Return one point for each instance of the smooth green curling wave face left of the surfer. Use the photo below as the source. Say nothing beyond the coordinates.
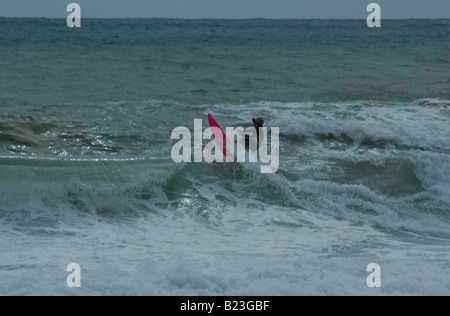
(53, 187)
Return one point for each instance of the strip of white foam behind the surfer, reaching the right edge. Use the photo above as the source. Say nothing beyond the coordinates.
(414, 124)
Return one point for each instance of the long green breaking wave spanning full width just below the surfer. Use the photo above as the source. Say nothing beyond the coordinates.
(401, 193)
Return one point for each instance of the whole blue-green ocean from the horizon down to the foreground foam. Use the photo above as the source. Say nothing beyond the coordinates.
(86, 174)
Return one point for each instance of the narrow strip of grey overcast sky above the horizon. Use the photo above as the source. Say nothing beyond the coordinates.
(337, 9)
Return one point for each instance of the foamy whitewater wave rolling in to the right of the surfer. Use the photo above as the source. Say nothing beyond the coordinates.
(408, 126)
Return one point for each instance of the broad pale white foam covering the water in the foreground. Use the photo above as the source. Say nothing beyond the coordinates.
(179, 256)
